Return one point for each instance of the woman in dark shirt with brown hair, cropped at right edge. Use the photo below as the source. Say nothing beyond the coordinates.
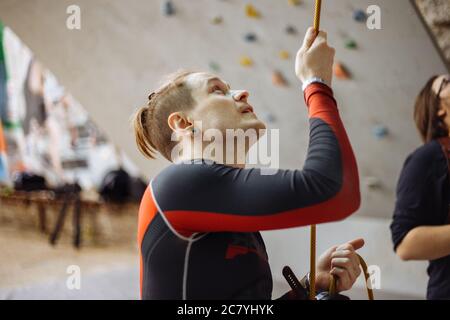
(420, 228)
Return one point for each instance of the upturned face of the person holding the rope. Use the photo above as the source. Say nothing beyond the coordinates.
(219, 107)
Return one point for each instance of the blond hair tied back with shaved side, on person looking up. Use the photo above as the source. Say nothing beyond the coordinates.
(151, 129)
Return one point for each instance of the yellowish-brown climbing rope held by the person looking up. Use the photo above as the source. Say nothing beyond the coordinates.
(312, 274)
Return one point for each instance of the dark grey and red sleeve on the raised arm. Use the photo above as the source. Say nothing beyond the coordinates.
(202, 198)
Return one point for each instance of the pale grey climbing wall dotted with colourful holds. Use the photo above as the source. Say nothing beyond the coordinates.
(124, 47)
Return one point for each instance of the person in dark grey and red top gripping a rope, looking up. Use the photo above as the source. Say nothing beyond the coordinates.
(200, 219)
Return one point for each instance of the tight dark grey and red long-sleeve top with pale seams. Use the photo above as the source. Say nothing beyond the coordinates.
(199, 222)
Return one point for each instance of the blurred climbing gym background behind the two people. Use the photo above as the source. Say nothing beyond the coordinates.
(73, 72)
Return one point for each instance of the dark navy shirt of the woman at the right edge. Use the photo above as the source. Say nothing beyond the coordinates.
(423, 200)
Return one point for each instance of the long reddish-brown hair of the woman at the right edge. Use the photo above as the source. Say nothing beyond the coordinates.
(429, 124)
